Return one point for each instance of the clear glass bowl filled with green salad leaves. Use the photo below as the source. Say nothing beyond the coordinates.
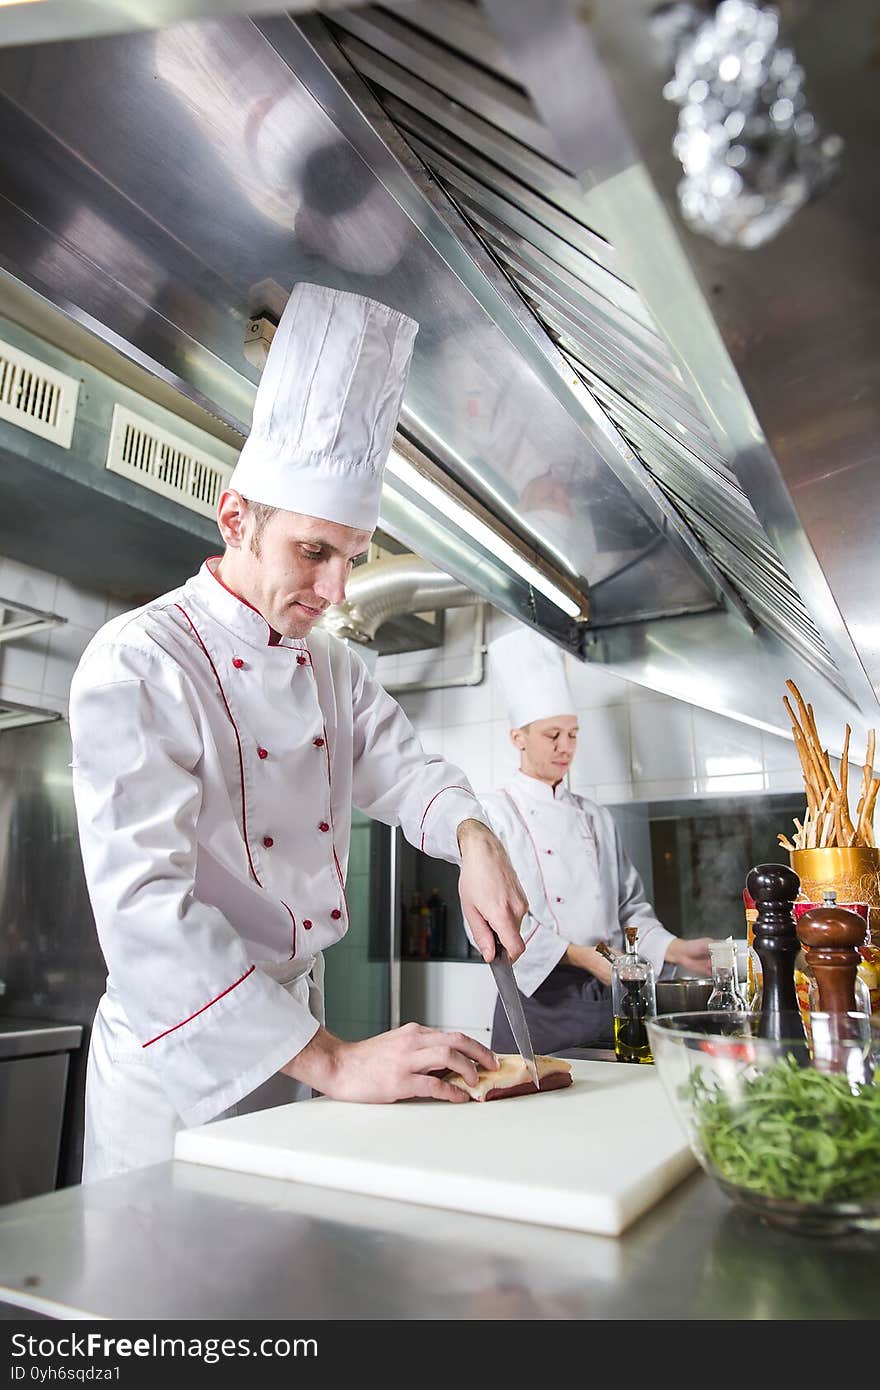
(788, 1128)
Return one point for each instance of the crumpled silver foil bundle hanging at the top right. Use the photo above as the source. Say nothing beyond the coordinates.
(751, 151)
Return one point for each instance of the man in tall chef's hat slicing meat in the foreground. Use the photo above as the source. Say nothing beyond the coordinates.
(219, 747)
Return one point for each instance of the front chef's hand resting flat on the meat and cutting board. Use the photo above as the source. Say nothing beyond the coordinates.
(391, 1067)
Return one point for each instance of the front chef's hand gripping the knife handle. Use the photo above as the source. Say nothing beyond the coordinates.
(491, 894)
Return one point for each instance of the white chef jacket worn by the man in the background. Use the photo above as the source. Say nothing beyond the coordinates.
(580, 883)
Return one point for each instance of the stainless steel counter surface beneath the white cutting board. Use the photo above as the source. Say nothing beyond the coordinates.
(183, 1242)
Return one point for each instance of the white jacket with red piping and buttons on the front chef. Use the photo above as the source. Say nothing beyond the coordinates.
(215, 771)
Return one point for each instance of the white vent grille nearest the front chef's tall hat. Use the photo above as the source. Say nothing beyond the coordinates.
(149, 455)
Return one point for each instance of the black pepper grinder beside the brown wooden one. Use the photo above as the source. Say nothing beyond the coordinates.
(775, 889)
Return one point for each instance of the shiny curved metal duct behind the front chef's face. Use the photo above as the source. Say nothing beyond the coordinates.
(389, 589)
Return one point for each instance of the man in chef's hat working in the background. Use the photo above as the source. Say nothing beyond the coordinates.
(567, 851)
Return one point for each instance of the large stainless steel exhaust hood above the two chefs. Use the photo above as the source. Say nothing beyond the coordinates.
(571, 379)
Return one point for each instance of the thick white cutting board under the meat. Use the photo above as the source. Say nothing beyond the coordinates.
(592, 1157)
